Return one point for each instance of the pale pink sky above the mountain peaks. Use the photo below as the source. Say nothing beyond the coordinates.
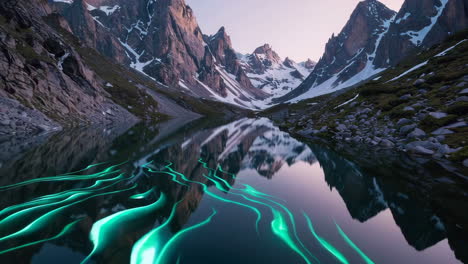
(295, 28)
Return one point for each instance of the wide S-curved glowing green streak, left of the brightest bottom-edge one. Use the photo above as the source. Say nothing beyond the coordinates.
(103, 230)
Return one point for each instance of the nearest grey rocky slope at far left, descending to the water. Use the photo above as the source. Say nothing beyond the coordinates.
(43, 78)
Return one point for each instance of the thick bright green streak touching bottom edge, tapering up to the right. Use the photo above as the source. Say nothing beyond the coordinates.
(145, 249)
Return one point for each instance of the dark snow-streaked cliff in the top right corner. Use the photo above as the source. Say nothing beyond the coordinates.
(421, 24)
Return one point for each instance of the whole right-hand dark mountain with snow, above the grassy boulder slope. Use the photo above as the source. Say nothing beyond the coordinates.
(376, 38)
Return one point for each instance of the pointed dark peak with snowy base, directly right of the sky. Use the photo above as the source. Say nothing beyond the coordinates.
(349, 56)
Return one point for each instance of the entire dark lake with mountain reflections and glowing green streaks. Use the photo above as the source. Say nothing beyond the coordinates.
(244, 192)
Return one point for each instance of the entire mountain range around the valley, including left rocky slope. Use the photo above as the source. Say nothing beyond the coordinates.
(101, 61)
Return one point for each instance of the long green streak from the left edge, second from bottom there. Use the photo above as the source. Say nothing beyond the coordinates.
(42, 221)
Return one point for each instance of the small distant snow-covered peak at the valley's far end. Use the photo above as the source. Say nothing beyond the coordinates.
(270, 73)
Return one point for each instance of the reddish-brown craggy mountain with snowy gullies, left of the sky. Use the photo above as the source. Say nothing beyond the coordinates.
(162, 40)
